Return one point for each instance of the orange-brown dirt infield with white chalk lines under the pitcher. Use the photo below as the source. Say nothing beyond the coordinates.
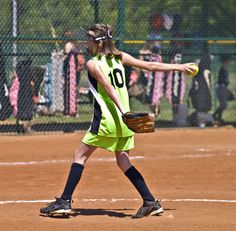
(191, 170)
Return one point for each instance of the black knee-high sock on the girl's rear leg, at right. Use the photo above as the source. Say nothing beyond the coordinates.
(137, 180)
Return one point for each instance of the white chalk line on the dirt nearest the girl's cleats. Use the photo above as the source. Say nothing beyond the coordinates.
(113, 200)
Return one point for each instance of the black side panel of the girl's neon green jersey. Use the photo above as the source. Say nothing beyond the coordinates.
(97, 115)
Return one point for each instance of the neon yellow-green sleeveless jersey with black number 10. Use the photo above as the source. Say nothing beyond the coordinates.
(107, 119)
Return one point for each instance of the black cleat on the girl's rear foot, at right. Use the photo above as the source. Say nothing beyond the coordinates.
(149, 208)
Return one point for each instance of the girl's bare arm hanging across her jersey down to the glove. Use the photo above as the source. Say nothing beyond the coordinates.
(95, 71)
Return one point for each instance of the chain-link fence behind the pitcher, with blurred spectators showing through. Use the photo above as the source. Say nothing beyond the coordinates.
(43, 82)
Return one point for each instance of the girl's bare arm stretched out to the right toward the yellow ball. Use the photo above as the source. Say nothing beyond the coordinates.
(155, 66)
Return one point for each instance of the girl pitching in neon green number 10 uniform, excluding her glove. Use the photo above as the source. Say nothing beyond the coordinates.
(107, 83)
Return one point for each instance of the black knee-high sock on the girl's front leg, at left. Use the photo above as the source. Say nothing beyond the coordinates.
(72, 181)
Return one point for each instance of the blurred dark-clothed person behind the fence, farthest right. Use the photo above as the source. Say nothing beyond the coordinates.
(224, 94)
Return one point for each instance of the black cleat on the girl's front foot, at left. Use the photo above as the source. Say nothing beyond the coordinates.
(59, 206)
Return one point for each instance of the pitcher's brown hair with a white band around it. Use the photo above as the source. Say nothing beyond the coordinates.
(103, 32)
